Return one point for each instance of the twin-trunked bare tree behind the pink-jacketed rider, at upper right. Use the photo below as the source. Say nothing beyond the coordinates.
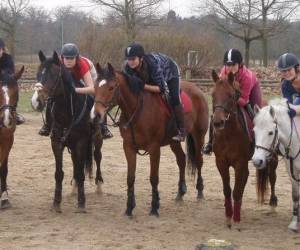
(251, 20)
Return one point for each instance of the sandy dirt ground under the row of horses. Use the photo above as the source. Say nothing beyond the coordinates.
(31, 224)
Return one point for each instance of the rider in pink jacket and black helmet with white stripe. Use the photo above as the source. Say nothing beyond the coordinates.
(249, 87)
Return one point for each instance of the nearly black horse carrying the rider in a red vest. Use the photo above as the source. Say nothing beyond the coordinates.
(71, 126)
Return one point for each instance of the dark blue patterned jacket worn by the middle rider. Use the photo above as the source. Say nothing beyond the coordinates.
(157, 69)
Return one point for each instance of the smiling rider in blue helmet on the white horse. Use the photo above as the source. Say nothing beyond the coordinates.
(288, 65)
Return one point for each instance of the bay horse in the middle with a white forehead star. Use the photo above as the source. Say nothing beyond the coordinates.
(144, 125)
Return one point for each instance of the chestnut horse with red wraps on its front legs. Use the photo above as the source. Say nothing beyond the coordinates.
(232, 147)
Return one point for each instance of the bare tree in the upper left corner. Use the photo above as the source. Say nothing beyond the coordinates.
(10, 12)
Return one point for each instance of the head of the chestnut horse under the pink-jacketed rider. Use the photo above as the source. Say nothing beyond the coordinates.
(224, 97)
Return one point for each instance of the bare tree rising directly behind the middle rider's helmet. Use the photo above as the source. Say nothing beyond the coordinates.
(131, 12)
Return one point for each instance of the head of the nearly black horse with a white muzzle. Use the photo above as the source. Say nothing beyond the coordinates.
(51, 78)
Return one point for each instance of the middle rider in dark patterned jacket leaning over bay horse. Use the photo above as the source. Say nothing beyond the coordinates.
(158, 72)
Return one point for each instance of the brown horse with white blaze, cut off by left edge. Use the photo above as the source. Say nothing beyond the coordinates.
(9, 93)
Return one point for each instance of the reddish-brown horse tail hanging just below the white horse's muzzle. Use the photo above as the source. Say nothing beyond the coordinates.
(262, 177)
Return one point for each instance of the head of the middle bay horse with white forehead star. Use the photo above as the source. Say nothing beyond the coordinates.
(106, 90)
